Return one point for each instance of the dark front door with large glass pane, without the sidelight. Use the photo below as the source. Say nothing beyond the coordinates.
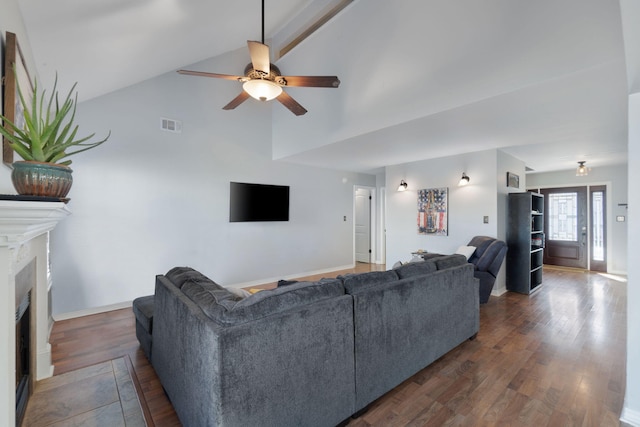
(565, 227)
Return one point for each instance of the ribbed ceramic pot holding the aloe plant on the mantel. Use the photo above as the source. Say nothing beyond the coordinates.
(41, 179)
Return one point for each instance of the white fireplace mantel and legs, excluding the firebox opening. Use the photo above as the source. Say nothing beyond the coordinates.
(24, 236)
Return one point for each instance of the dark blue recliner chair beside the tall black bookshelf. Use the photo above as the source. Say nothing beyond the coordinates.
(487, 258)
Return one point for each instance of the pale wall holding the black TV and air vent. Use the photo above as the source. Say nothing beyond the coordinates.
(149, 200)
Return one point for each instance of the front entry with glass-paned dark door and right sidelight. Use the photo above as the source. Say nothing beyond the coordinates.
(575, 227)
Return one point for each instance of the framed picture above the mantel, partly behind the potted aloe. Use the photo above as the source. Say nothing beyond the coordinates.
(15, 72)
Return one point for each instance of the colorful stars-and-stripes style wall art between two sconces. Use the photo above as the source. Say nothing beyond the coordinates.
(432, 211)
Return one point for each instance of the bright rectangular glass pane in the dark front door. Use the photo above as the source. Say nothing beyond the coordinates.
(563, 216)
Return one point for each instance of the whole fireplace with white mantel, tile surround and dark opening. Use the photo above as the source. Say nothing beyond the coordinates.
(25, 289)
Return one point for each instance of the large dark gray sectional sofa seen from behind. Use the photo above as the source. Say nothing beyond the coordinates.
(305, 354)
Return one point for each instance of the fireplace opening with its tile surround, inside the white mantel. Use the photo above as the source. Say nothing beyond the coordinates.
(25, 282)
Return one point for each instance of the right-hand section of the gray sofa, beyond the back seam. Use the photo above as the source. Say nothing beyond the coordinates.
(403, 325)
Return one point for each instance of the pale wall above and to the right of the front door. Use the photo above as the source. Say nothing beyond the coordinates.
(615, 178)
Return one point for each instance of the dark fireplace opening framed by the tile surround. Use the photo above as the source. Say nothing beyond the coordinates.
(23, 356)
